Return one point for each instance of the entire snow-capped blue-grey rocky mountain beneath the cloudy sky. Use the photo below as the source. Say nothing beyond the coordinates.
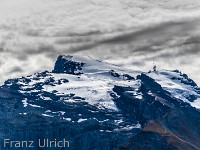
(95, 105)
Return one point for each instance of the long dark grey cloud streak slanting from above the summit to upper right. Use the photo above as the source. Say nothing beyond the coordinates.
(144, 39)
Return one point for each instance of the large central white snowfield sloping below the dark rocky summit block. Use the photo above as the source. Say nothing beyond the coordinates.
(94, 85)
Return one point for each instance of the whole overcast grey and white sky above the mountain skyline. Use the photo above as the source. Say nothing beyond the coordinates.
(131, 33)
